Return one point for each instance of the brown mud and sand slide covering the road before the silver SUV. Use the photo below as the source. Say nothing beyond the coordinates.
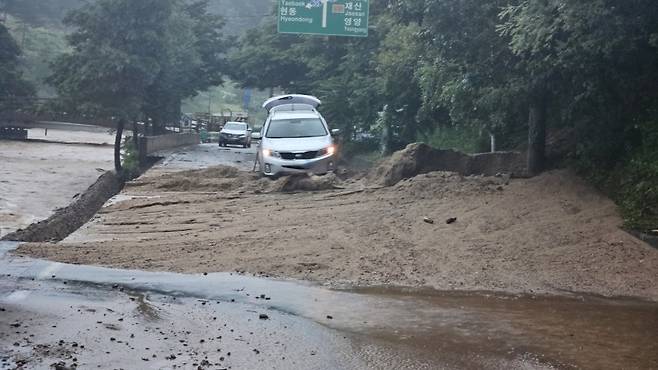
(550, 234)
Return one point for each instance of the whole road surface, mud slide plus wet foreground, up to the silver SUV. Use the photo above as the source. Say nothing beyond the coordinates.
(198, 261)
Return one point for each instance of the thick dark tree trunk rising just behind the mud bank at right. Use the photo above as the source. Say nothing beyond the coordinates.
(537, 133)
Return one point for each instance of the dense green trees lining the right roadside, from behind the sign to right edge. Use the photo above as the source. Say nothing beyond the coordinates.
(517, 69)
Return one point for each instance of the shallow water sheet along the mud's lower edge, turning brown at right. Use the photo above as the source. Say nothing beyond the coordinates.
(365, 328)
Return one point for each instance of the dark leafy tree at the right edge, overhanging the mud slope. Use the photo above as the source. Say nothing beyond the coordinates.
(602, 59)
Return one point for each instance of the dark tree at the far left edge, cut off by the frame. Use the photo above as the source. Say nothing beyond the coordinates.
(13, 88)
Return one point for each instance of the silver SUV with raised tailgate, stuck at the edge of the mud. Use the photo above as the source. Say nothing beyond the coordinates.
(295, 137)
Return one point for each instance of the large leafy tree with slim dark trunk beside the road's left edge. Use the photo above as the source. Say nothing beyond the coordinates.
(138, 59)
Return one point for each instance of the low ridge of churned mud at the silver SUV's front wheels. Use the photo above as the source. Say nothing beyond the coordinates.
(230, 179)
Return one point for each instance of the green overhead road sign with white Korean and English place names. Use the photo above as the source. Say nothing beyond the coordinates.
(324, 17)
